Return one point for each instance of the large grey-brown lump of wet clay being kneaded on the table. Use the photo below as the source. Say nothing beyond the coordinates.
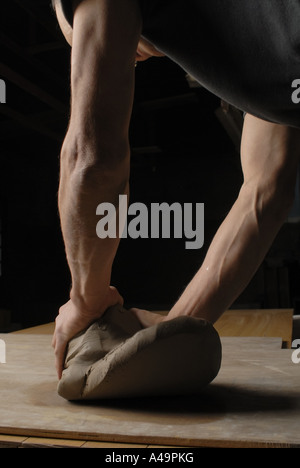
(116, 358)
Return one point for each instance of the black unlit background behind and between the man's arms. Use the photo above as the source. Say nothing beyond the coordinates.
(184, 149)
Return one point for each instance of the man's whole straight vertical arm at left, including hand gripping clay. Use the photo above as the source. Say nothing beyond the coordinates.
(95, 158)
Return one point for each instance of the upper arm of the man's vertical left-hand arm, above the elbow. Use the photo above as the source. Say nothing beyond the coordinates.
(104, 43)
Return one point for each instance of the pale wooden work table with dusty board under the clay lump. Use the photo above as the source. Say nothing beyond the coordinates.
(253, 402)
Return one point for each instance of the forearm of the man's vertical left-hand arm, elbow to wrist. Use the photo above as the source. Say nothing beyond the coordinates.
(90, 259)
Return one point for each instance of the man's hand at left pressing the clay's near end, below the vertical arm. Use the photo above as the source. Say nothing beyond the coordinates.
(71, 321)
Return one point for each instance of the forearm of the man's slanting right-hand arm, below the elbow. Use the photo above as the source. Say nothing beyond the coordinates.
(232, 259)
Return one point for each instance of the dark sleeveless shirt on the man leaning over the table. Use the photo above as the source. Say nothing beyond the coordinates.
(247, 52)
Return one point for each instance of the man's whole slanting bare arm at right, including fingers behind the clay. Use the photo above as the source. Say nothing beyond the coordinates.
(270, 156)
